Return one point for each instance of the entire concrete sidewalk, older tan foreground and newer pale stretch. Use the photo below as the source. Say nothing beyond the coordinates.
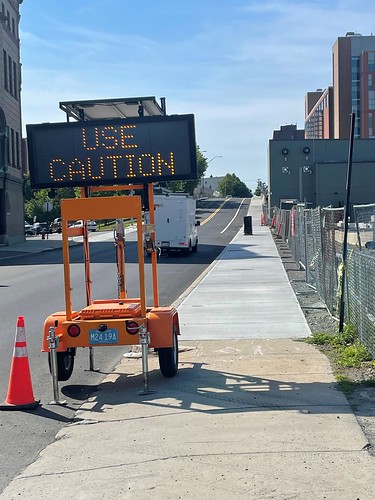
(253, 413)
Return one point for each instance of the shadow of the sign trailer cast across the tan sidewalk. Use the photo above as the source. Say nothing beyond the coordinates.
(199, 389)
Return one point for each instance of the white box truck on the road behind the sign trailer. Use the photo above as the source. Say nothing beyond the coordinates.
(175, 223)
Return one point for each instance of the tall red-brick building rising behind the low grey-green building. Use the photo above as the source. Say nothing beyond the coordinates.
(353, 90)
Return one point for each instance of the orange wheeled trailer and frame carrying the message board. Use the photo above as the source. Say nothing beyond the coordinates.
(121, 321)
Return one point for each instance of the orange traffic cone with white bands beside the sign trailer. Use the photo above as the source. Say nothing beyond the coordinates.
(20, 392)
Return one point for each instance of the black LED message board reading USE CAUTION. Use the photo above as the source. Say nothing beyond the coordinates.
(112, 152)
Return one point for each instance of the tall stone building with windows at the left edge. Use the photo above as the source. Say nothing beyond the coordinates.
(11, 180)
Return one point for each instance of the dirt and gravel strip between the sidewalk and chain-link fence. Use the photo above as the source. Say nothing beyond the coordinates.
(359, 383)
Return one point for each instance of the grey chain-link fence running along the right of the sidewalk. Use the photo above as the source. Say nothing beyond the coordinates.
(315, 238)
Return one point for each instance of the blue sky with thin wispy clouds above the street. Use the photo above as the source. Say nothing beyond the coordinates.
(242, 67)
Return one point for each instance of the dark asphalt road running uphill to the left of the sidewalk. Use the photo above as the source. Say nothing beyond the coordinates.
(32, 286)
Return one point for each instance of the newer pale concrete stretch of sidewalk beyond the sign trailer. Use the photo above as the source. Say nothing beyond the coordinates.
(247, 294)
